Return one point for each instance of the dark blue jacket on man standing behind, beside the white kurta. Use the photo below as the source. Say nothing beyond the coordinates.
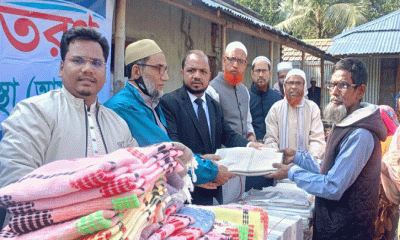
(260, 103)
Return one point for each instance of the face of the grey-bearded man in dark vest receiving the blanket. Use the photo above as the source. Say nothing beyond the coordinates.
(349, 97)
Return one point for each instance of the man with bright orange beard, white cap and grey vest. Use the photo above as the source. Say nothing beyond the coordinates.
(228, 90)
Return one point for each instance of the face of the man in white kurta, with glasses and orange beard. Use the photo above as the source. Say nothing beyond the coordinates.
(294, 89)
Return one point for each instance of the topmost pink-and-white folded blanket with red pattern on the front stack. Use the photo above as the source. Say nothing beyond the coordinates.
(67, 176)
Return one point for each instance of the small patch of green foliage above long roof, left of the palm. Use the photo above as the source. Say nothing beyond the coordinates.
(269, 9)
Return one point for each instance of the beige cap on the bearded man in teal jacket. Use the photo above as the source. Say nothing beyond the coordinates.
(140, 49)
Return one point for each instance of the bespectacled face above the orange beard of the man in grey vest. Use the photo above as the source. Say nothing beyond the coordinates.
(232, 59)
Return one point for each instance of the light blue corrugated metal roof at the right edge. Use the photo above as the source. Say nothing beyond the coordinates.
(380, 36)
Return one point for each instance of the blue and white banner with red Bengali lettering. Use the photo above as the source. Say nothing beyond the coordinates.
(30, 44)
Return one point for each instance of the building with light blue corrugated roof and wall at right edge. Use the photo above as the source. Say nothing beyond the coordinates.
(377, 44)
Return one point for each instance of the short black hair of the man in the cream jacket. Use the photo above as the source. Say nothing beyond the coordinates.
(83, 33)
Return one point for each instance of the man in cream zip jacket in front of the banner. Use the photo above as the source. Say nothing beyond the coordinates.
(68, 122)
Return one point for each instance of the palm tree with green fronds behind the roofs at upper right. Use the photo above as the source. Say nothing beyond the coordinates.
(321, 18)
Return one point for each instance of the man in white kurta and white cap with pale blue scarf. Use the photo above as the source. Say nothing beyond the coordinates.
(295, 122)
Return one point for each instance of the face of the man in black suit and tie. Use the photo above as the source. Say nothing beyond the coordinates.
(196, 74)
